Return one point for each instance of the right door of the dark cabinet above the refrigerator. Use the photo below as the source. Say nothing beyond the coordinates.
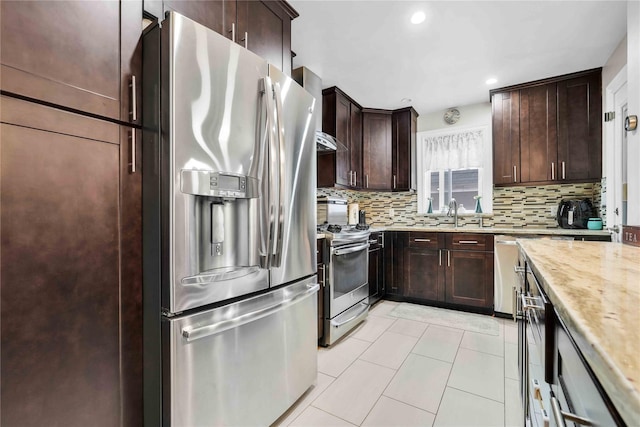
(265, 29)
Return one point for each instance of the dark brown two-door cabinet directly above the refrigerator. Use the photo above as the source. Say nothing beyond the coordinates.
(263, 27)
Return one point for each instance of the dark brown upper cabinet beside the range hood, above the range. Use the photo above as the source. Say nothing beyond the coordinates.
(342, 118)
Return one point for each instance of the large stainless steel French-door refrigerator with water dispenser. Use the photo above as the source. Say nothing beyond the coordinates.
(229, 178)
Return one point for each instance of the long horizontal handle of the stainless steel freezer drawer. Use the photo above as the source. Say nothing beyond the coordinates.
(192, 334)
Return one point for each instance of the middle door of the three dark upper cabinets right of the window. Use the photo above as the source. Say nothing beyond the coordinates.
(538, 134)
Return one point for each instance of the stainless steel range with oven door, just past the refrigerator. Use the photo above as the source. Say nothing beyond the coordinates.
(346, 292)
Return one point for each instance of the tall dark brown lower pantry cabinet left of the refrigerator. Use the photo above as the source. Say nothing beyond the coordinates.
(71, 333)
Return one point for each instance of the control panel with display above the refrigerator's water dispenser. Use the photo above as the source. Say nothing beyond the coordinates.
(218, 184)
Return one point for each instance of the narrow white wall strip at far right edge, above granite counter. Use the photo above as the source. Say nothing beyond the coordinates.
(633, 88)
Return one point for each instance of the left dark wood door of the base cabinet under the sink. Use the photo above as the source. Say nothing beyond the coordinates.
(423, 274)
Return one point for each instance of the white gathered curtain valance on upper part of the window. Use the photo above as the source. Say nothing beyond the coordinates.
(455, 150)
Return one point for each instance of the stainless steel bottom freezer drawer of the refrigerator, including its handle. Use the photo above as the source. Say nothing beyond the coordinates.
(244, 363)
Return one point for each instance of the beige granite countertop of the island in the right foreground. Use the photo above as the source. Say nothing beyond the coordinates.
(595, 288)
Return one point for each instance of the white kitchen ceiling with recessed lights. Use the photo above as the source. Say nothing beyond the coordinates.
(372, 52)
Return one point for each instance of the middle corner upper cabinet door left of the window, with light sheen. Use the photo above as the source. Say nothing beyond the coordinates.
(376, 151)
